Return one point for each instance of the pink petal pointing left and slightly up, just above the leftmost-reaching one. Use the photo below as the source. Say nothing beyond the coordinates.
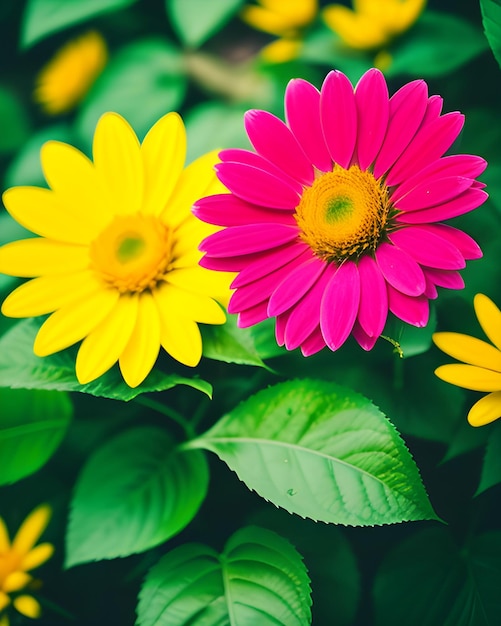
(257, 186)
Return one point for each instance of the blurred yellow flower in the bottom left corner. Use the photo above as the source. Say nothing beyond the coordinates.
(18, 558)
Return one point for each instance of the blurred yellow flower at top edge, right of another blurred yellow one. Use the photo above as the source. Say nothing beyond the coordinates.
(372, 23)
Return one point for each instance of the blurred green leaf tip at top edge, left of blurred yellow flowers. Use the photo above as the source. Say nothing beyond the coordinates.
(196, 21)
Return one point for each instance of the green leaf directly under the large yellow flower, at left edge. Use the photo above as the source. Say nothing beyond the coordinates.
(20, 368)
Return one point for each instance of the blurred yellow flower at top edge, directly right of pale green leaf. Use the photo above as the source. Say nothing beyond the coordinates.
(287, 20)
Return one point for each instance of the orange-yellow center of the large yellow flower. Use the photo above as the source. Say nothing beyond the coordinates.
(132, 253)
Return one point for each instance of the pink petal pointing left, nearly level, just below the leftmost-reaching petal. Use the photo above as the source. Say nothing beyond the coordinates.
(239, 240)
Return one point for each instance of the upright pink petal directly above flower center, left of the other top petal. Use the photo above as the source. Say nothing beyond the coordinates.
(338, 113)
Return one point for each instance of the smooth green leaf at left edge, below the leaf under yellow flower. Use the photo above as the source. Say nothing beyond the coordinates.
(32, 425)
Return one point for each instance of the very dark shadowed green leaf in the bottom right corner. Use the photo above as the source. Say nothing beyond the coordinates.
(428, 579)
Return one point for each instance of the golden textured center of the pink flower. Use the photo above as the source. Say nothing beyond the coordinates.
(343, 214)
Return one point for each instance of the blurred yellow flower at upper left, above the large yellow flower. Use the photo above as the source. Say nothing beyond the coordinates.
(67, 78)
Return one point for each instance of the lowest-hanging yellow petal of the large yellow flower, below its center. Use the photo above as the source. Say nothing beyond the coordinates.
(139, 356)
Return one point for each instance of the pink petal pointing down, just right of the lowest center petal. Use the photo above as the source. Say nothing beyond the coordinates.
(373, 309)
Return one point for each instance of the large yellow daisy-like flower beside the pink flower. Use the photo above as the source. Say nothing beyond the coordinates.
(117, 260)
